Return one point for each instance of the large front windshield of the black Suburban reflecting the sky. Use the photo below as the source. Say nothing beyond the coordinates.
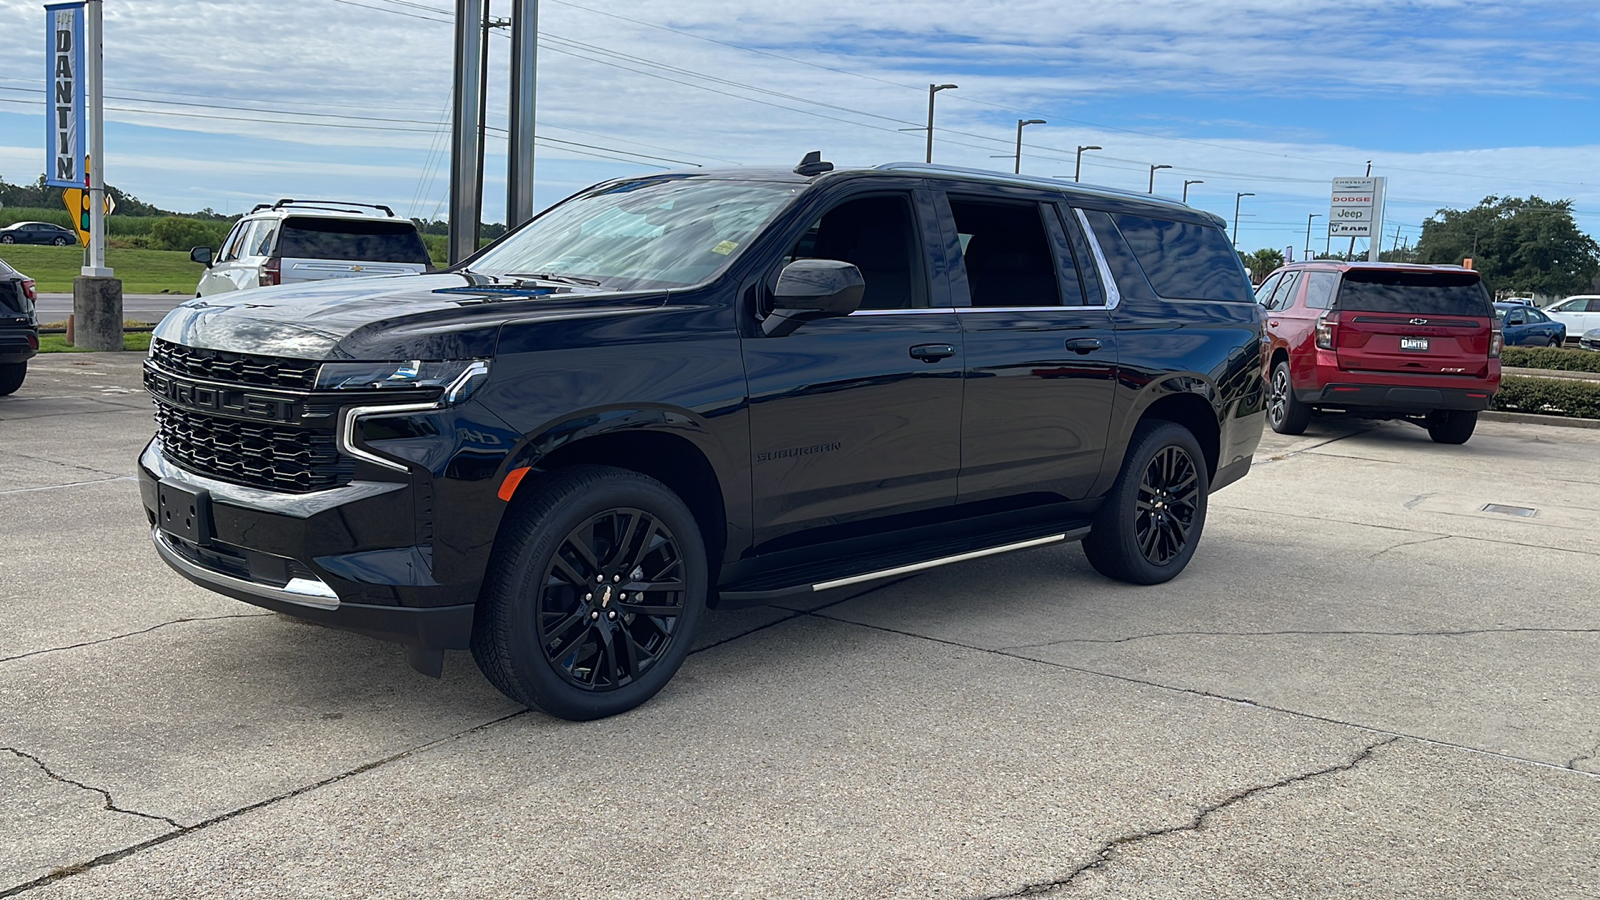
(642, 235)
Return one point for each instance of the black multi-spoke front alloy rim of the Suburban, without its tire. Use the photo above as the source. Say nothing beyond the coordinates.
(612, 600)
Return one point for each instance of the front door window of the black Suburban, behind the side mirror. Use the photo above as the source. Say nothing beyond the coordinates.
(874, 235)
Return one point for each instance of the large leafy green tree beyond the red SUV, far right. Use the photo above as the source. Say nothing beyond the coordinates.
(1524, 246)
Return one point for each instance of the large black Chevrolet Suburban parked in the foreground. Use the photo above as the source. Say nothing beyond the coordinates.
(700, 390)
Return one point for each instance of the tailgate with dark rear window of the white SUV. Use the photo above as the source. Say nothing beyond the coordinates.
(316, 247)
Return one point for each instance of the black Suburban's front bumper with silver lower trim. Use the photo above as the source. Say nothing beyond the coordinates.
(346, 558)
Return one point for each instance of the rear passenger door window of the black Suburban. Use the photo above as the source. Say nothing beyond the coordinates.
(1009, 255)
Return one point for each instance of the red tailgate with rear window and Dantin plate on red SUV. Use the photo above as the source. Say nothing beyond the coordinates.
(1414, 323)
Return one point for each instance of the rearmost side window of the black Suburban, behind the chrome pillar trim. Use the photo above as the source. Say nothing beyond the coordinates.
(1185, 260)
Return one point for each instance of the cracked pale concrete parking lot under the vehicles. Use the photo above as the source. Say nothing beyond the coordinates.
(1364, 686)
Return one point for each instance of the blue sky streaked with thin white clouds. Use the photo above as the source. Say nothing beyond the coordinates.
(228, 105)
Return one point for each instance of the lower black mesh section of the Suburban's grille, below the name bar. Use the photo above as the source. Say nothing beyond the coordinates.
(268, 456)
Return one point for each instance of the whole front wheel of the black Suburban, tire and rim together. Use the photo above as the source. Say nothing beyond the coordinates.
(556, 629)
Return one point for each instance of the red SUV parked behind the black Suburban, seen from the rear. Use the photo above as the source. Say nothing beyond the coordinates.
(1380, 340)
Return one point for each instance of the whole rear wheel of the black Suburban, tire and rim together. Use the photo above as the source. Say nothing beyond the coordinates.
(1151, 521)
